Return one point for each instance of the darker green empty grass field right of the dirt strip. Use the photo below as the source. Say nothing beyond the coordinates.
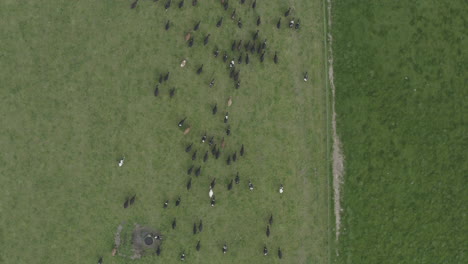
(400, 75)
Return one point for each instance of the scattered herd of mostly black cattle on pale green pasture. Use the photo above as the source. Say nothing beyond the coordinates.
(252, 47)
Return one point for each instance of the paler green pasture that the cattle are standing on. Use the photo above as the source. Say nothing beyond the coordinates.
(77, 93)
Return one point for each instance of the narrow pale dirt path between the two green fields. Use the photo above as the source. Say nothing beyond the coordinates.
(338, 158)
